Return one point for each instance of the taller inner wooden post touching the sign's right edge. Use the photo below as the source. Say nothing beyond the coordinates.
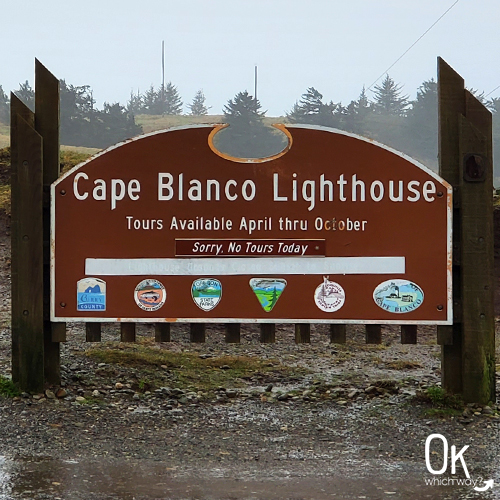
(450, 106)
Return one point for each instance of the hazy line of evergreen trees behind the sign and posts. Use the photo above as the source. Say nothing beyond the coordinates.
(390, 117)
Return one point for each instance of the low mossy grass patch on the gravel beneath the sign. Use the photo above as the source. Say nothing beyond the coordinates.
(188, 370)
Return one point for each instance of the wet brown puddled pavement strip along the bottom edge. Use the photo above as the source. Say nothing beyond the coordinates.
(140, 480)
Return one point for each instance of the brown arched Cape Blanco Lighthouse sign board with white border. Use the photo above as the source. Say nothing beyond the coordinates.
(334, 229)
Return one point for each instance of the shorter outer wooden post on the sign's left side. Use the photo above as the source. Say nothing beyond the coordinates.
(27, 254)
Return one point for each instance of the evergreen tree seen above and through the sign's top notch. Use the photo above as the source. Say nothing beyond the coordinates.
(247, 136)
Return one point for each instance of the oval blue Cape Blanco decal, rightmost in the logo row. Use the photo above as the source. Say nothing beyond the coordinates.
(398, 296)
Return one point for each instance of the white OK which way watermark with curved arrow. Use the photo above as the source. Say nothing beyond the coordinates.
(455, 457)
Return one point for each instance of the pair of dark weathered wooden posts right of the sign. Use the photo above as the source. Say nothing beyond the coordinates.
(466, 162)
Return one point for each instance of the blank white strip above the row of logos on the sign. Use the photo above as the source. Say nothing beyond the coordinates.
(238, 266)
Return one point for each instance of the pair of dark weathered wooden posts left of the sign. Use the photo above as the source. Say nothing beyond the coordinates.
(35, 165)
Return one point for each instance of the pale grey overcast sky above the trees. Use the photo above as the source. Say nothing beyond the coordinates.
(335, 46)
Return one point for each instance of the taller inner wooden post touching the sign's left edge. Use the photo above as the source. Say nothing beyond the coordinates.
(47, 125)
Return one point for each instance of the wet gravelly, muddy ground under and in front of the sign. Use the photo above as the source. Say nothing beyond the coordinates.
(247, 421)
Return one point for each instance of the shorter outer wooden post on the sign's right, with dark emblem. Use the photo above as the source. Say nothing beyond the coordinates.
(477, 269)
